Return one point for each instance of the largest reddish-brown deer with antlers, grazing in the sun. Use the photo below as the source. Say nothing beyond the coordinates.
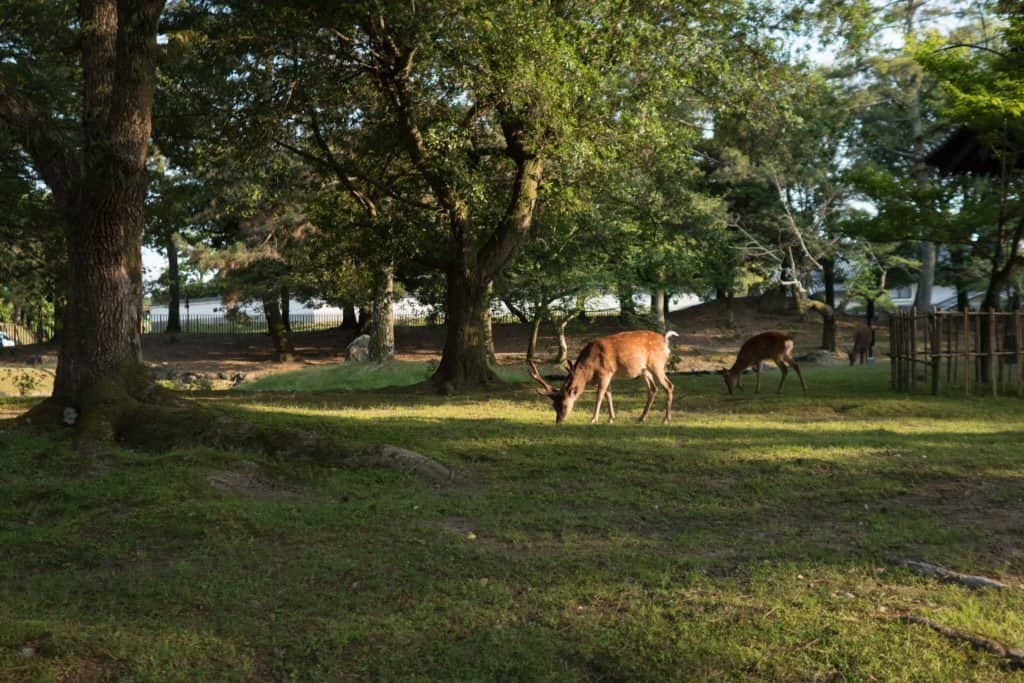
(624, 356)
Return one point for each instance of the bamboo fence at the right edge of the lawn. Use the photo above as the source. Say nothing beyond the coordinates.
(978, 352)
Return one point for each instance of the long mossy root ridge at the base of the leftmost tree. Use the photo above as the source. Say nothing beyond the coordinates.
(160, 420)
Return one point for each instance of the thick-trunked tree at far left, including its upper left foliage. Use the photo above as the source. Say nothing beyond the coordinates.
(96, 170)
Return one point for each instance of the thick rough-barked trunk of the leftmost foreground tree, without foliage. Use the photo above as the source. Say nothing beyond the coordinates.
(100, 363)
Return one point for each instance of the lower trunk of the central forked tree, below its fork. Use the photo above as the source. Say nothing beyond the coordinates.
(464, 360)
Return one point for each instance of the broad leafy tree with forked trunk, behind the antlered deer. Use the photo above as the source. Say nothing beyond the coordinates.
(478, 104)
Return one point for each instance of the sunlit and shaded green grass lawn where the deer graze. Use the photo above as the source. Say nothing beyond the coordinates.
(752, 540)
